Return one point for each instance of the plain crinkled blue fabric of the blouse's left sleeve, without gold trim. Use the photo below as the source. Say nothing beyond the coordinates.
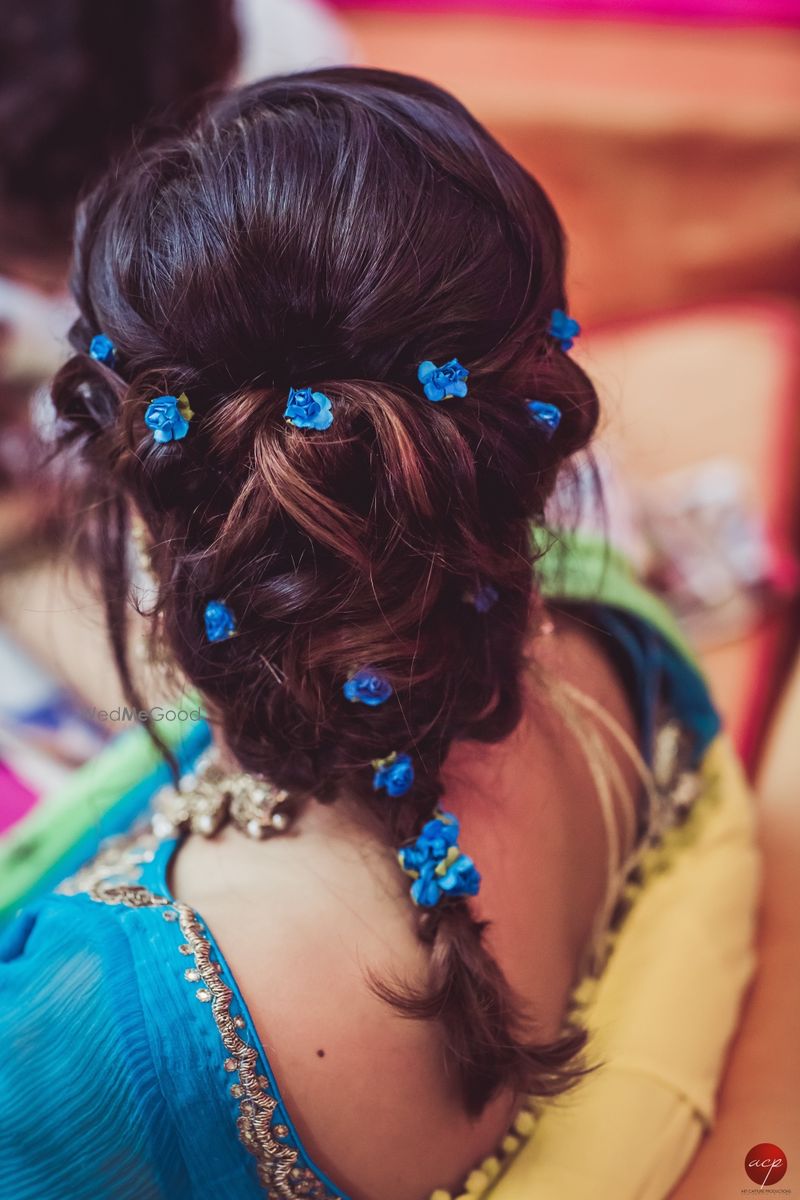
(82, 1108)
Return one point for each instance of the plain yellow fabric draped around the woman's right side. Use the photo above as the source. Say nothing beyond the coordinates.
(661, 1016)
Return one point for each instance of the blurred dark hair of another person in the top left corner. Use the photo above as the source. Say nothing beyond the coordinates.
(79, 77)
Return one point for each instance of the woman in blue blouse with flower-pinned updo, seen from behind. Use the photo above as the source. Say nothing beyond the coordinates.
(323, 361)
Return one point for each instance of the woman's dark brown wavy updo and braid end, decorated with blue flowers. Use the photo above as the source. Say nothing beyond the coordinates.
(335, 230)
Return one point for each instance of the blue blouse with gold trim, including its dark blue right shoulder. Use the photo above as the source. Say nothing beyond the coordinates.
(131, 1069)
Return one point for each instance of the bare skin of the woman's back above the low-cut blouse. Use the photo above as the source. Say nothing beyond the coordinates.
(303, 919)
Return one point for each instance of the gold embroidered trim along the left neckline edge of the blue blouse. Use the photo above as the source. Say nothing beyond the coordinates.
(113, 878)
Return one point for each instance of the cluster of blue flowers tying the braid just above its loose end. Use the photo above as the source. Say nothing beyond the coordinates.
(437, 866)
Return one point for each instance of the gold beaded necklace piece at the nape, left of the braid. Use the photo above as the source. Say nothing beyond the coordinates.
(209, 797)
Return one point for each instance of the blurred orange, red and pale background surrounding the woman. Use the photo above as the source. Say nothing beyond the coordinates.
(666, 133)
